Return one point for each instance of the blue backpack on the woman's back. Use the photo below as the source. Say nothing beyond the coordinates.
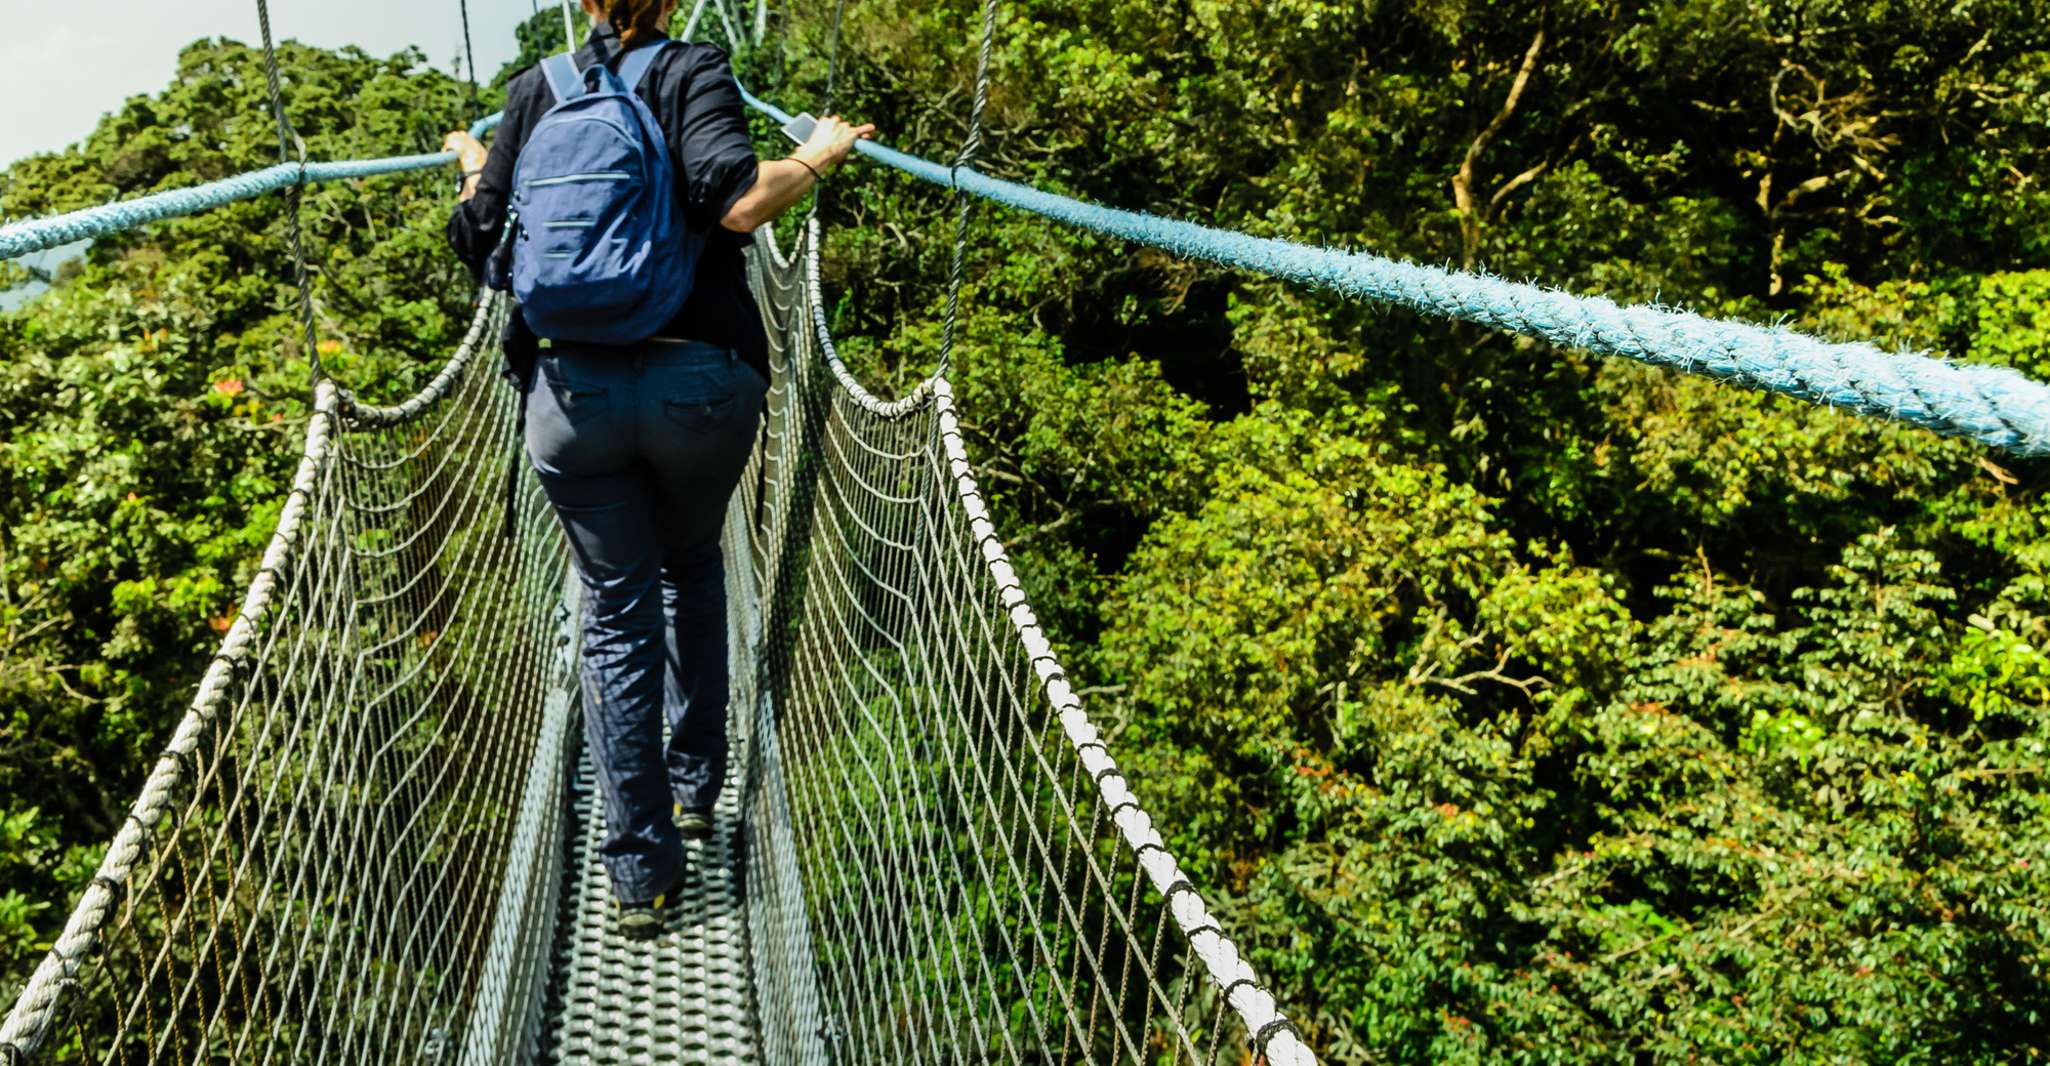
(602, 251)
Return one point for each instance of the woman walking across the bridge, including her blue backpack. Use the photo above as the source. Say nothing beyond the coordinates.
(616, 204)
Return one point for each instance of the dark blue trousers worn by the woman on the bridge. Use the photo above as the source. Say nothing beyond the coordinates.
(639, 450)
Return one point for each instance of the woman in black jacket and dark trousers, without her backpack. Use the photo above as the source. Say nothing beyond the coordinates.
(639, 448)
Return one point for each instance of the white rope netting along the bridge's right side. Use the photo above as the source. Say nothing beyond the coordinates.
(946, 862)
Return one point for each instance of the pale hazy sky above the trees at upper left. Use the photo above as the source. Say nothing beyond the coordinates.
(65, 65)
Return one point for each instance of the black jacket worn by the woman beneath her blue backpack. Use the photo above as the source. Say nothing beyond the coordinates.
(698, 104)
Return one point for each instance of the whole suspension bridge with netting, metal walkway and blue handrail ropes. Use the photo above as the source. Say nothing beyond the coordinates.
(374, 833)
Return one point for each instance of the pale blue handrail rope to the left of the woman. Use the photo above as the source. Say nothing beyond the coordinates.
(28, 237)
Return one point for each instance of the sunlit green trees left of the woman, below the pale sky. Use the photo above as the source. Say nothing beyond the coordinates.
(151, 413)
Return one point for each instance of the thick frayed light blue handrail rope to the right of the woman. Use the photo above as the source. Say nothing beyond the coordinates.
(1990, 405)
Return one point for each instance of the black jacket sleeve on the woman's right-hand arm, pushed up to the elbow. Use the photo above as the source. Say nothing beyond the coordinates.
(714, 153)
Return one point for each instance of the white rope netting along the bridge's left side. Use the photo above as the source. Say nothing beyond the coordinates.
(350, 850)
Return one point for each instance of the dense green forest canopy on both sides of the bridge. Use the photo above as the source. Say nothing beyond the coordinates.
(1510, 704)
